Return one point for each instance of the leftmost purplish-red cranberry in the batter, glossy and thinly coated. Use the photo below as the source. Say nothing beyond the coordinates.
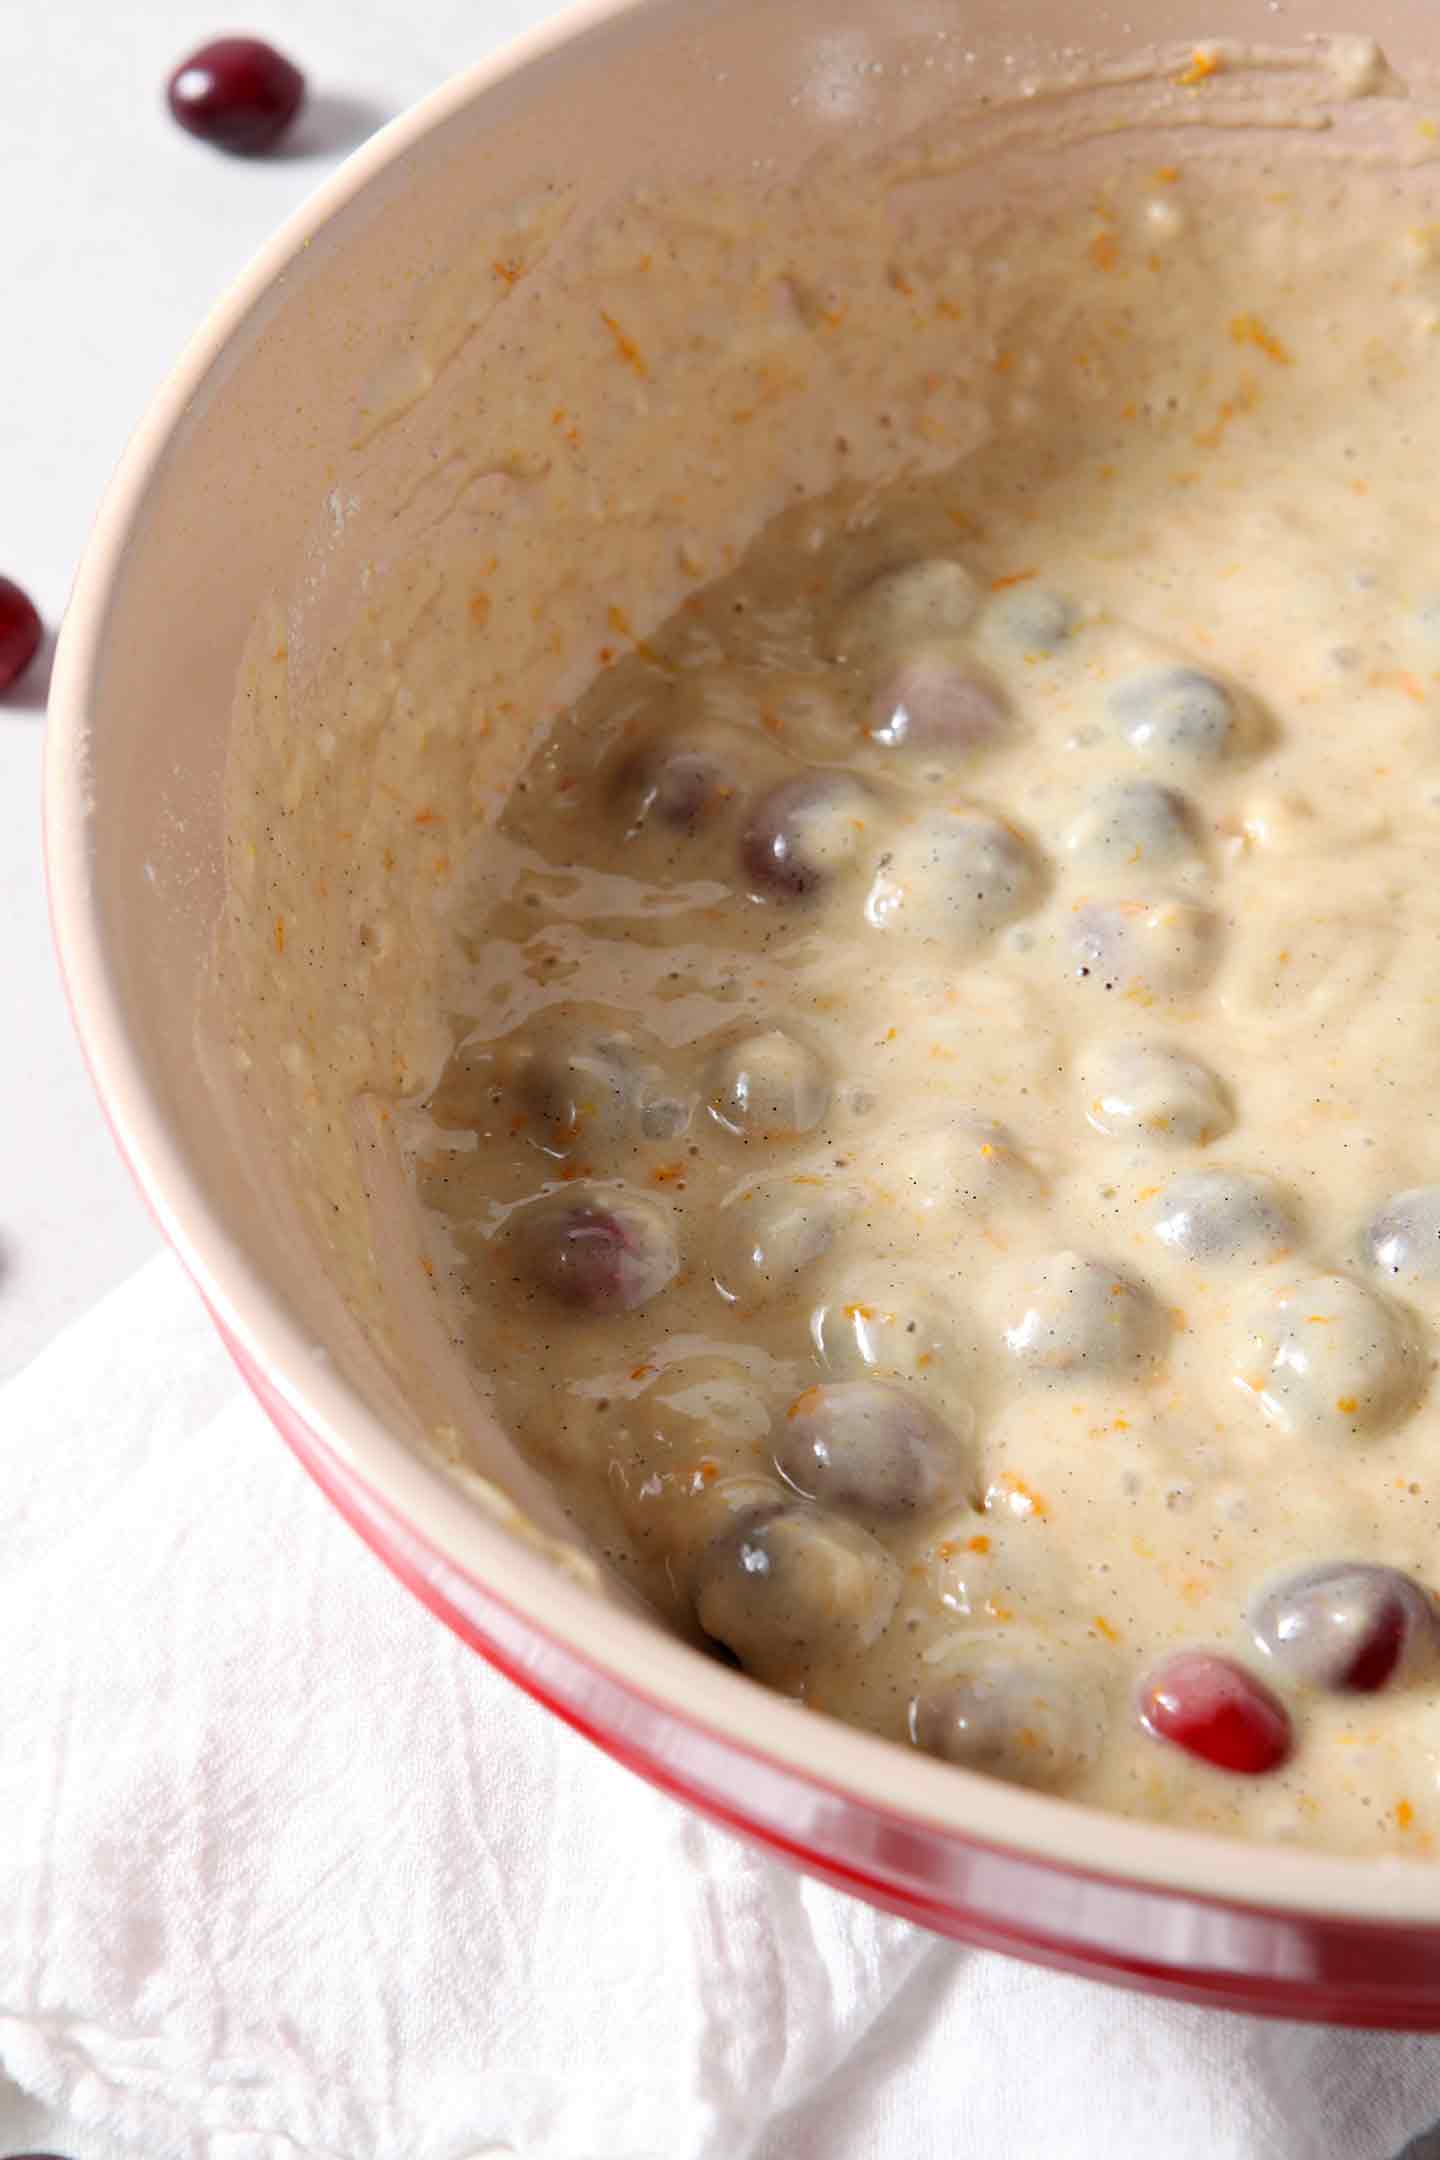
(595, 1252)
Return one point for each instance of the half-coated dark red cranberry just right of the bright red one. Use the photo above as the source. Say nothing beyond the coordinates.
(1348, 1628)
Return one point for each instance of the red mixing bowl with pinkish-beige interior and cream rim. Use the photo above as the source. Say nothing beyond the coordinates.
(236, 487)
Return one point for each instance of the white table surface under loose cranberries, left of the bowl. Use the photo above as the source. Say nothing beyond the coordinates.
(118, 234)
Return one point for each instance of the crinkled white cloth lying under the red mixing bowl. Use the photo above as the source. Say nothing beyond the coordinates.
(286, 1872)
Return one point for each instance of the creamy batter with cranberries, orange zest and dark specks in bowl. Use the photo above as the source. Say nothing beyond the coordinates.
(936, 1122)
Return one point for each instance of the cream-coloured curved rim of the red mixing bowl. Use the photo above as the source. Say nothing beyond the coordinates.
(629, 1649)
